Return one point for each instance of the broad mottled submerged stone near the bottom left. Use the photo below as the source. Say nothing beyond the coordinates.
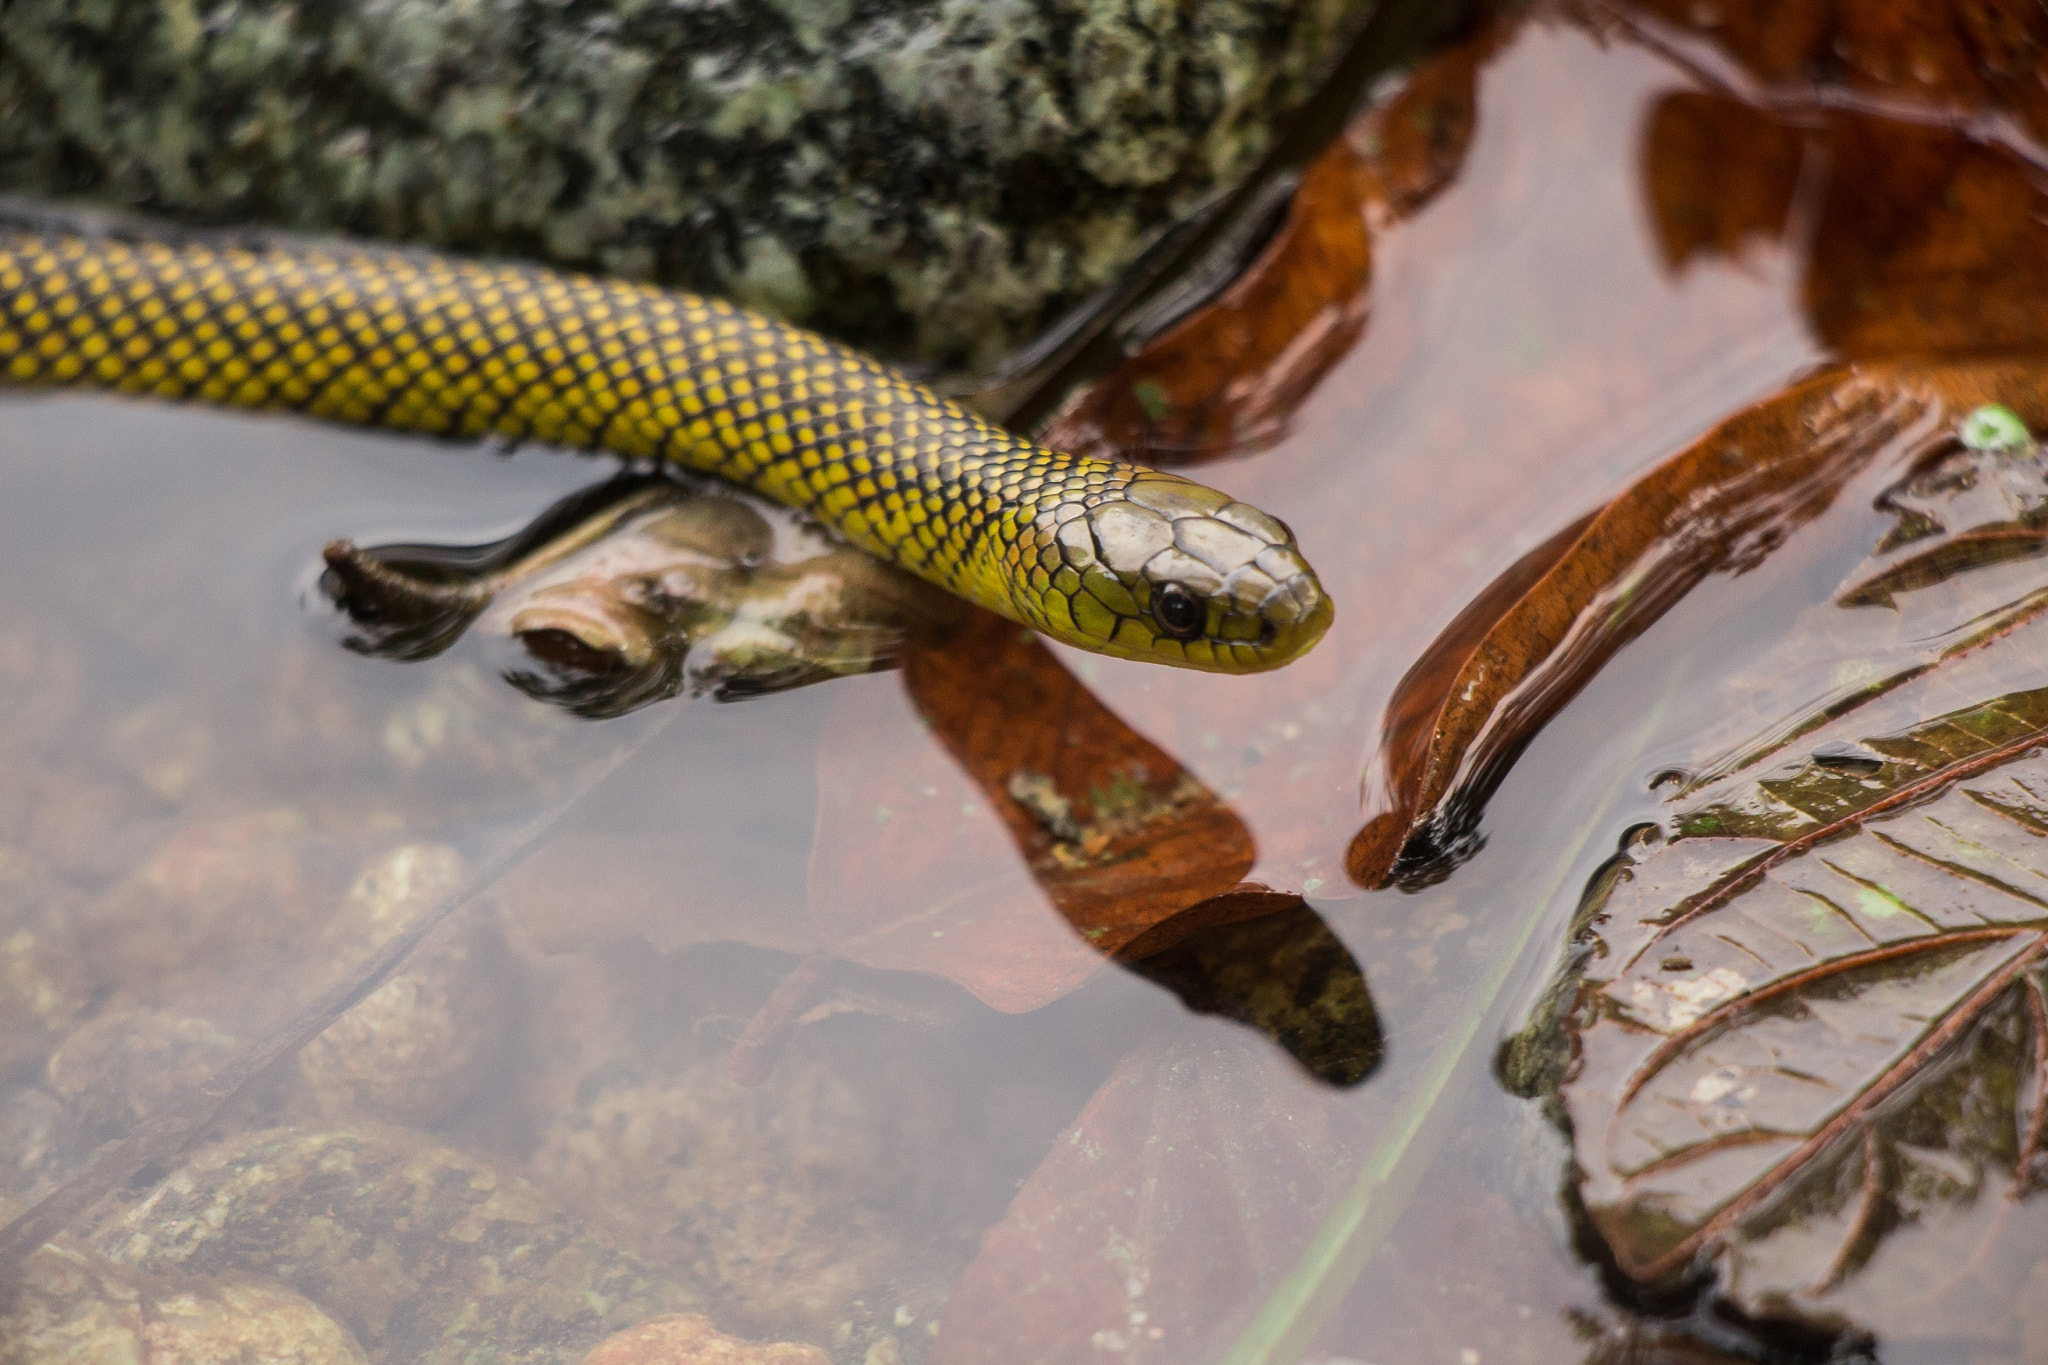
(425, 1253)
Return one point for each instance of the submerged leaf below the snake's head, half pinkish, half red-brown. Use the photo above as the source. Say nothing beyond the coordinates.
(1035, 842)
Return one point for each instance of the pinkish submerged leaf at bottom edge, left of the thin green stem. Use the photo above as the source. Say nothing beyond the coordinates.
(1187, 1186)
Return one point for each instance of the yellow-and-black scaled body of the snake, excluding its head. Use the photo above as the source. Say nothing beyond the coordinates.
(460, 349)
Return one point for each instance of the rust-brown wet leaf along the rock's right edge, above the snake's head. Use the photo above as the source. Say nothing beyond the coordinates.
(1230, 376)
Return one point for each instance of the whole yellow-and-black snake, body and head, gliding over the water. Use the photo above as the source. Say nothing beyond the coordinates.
(1105, 556)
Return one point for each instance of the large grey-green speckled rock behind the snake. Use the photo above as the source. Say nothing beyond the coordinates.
(923, 177)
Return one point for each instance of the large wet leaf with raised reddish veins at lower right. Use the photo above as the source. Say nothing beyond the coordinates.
(1816, 1012)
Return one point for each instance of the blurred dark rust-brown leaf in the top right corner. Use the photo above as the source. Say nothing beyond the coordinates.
(1922, 238)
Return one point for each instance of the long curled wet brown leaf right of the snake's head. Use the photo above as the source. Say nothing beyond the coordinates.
(1531, 642)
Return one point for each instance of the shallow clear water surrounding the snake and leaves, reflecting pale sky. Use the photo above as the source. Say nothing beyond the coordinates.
(202, 775)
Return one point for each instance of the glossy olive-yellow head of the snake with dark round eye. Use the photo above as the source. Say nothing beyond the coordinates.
(1172, 572)
